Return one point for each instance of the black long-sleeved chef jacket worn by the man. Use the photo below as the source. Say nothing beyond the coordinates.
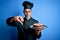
(24, 31)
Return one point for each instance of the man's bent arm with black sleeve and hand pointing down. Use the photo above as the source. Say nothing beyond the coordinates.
(11, 21)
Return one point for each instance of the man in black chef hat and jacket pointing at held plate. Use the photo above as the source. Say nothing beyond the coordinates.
(25, 31)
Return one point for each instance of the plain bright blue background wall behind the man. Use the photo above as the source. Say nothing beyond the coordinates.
(45, 11)
